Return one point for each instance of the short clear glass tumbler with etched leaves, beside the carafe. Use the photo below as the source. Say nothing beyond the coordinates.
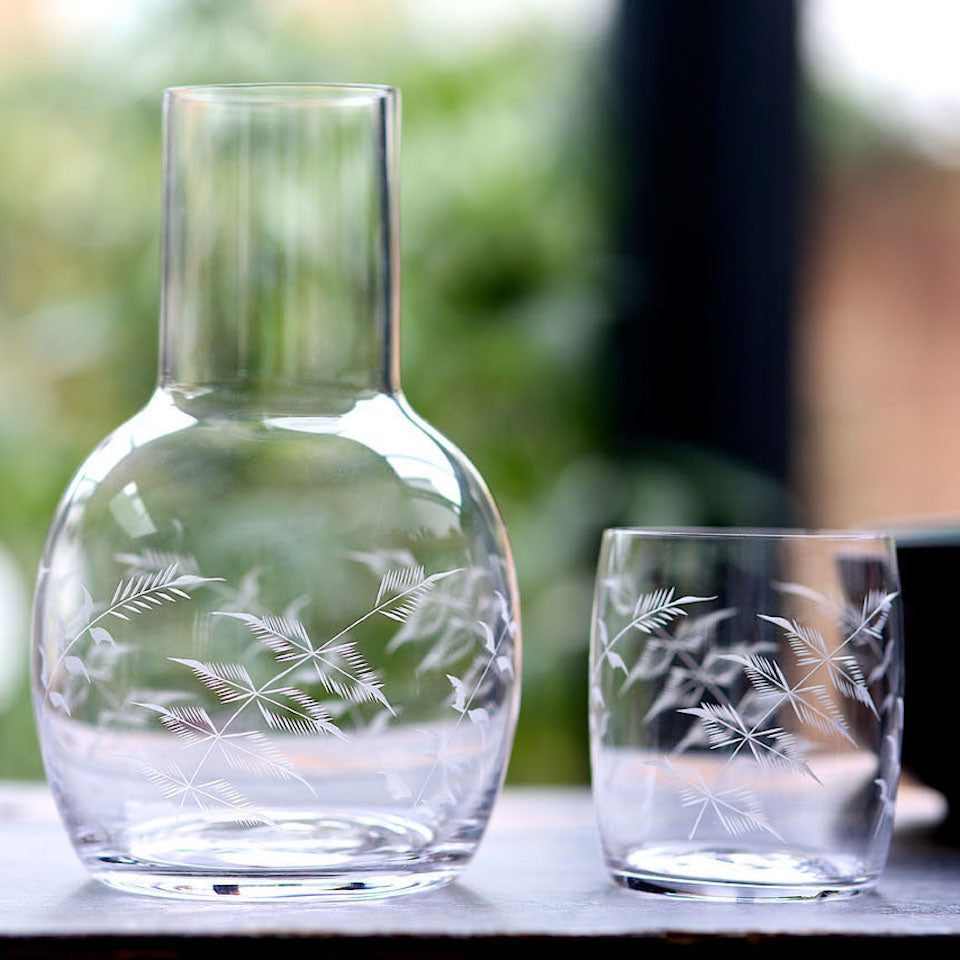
(746, 711)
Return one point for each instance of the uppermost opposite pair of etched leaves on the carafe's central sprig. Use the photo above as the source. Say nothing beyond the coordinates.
(339, 667)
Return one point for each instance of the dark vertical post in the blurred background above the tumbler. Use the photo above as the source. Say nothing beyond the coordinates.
(705, 108)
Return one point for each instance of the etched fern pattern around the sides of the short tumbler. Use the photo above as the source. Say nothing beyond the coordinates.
(736, 692)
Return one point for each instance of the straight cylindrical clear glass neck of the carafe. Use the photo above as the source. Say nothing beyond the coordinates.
(280, 255)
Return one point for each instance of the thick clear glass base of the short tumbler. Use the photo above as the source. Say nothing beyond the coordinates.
(732, 874)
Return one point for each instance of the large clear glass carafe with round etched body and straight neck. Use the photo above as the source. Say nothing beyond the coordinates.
(276, 635)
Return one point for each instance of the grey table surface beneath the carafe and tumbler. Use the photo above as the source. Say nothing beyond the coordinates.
(538, 874)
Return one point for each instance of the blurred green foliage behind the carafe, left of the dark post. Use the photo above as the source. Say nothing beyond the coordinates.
(501, 222)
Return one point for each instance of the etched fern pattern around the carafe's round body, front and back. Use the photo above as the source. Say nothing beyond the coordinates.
(256, 706)
